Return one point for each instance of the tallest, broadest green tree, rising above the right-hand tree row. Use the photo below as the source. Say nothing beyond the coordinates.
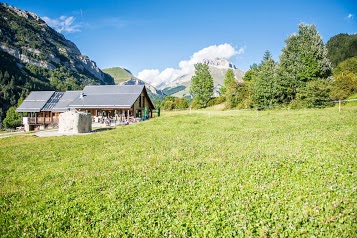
(303, 59)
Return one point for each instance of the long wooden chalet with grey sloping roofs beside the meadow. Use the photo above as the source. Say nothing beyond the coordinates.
(120, 102)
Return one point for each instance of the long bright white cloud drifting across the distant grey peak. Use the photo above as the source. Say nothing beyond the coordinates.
(155, 77)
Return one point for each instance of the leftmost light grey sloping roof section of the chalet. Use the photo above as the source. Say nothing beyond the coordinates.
(35, 101)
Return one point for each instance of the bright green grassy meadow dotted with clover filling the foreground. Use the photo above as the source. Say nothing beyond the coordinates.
(208, 174)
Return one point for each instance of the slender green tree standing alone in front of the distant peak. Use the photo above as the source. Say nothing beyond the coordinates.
(201, 85)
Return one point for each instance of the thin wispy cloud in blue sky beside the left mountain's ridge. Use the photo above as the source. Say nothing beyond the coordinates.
(63, 24)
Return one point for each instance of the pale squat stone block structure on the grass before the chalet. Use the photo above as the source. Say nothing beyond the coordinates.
(75, 122)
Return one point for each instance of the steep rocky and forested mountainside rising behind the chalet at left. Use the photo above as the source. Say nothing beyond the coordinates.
(36, 57)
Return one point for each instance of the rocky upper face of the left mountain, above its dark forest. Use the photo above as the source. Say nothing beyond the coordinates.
(25, 36)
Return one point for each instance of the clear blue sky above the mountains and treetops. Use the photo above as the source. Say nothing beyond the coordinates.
(159, 34)
